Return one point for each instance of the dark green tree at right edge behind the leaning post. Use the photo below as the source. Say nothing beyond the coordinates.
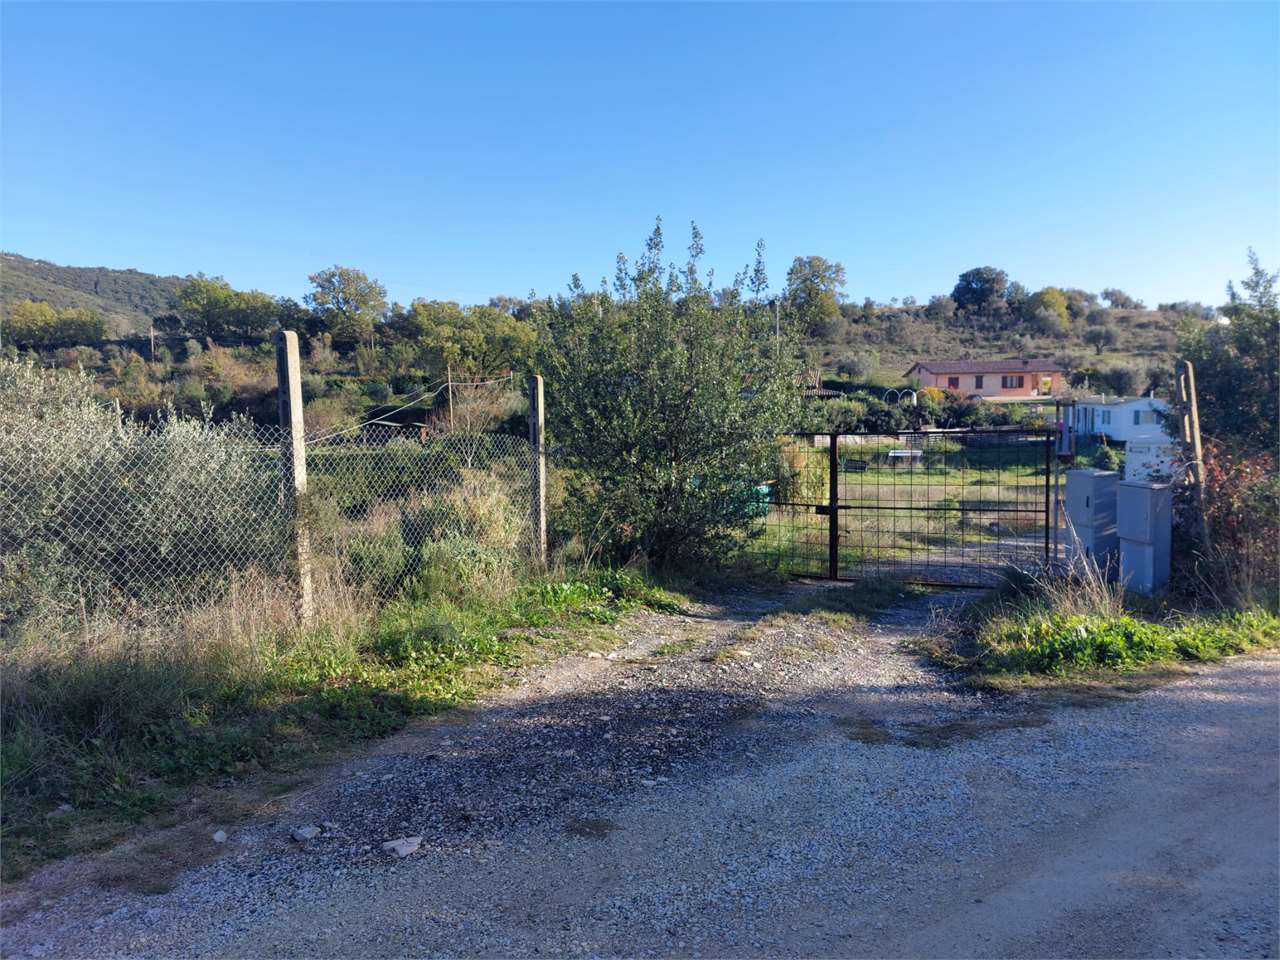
(1238, 363)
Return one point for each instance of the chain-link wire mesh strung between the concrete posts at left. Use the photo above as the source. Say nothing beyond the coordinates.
(102, 516)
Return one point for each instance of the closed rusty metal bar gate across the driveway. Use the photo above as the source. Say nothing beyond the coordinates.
(954, 508)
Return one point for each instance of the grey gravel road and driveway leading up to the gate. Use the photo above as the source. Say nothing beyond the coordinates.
(744, 783)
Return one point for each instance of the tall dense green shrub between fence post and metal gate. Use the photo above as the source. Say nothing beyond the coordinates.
(666, 408)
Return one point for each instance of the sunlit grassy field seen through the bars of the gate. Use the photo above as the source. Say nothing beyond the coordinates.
(956, 501)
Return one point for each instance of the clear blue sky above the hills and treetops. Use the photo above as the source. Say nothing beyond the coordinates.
(465, 152)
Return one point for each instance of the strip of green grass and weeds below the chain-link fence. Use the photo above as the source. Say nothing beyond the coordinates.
(120, 733)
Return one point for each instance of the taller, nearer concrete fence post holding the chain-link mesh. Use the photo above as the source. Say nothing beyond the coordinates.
(294, 467)
